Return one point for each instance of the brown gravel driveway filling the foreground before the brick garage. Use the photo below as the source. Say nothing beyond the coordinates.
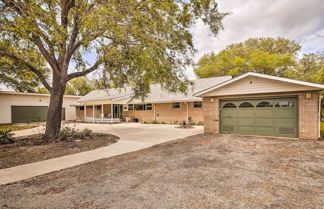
(202, 171)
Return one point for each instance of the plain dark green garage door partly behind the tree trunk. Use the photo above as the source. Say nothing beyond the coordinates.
(25, 114)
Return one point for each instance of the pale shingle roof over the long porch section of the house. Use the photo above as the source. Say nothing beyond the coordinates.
(157, 94)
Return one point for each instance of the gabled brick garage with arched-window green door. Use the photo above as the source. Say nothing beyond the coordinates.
(258, 104)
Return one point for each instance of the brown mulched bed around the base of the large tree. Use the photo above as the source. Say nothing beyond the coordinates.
(32, 148)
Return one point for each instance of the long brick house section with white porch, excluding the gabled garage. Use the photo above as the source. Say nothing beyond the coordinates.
(112, 105)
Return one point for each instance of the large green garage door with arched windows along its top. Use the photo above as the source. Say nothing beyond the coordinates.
(267, 117)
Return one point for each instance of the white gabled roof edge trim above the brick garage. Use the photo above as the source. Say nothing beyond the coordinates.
(287, 80)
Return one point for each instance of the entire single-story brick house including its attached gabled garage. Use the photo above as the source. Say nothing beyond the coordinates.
(251, 104)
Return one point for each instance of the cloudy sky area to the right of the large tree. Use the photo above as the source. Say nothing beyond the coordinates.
(301, 20)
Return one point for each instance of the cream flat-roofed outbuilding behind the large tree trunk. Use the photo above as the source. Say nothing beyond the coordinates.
(18, 107)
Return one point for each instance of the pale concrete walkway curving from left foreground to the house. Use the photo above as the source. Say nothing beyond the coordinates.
(133, 137)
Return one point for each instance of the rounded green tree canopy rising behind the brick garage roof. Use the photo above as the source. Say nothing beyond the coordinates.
(262, 55)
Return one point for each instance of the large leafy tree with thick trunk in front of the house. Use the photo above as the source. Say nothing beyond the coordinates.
(134, 42)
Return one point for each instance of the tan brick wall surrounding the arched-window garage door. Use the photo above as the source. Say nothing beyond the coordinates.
(308, 113)
